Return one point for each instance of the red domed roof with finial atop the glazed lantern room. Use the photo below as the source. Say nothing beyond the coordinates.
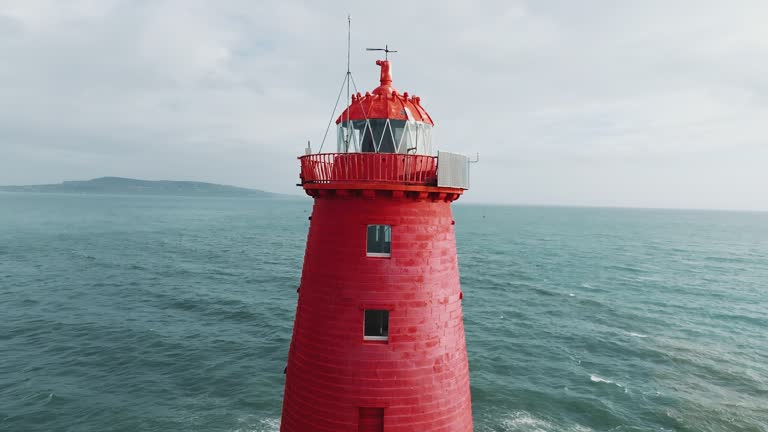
(385, 102)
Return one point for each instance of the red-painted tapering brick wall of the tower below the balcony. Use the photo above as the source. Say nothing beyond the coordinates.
(420, 377)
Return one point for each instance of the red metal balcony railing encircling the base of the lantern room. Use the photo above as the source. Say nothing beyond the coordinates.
(369, 167)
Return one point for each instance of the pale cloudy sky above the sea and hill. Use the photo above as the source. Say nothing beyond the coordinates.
(595, 102)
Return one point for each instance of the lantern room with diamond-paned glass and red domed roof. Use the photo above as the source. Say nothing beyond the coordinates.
(385, 121)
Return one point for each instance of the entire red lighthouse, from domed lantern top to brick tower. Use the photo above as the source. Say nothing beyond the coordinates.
(378, 340)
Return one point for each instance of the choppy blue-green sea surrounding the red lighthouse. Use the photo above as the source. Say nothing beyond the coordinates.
(157, 313)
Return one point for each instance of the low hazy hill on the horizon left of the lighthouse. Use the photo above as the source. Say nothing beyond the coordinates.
(118, 185)
